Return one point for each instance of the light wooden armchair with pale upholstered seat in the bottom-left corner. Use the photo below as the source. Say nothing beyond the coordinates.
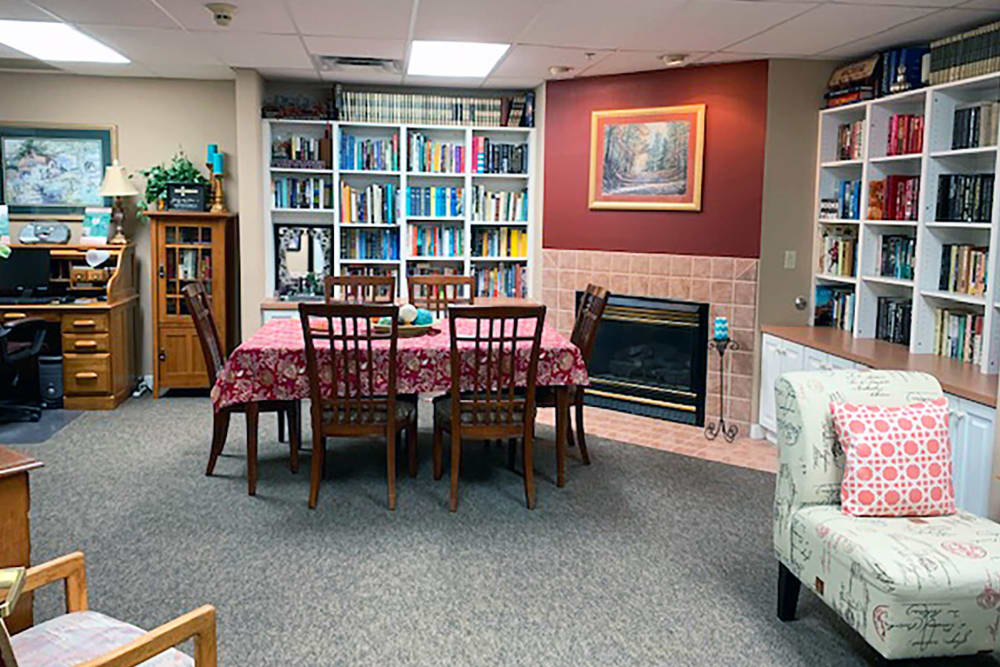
(96, 640)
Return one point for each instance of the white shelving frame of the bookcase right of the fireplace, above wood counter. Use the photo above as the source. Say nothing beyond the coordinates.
(937, 104)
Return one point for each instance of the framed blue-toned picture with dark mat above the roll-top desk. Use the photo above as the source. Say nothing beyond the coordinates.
(54, 171)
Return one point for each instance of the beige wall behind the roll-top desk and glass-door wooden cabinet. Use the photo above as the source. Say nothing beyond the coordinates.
(155, 118)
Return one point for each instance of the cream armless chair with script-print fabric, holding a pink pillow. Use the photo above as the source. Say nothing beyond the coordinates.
(912, 587)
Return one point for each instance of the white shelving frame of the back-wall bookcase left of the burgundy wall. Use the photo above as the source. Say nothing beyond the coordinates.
(468, 262)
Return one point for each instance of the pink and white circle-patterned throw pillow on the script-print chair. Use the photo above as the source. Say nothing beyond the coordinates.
(898, 459)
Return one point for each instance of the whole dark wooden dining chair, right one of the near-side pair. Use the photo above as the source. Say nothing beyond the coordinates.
(490, 404)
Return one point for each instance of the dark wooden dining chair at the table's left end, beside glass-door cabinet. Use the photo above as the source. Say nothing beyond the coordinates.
(208, 333)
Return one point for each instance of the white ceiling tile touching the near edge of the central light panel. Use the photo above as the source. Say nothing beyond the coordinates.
(462, 20)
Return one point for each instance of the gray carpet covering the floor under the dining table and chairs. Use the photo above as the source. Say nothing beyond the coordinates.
(644, 558)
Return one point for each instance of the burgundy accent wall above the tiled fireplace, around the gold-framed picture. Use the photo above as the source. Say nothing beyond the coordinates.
(728, 225)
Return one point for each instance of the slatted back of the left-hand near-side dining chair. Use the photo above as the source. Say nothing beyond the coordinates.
(342, 382)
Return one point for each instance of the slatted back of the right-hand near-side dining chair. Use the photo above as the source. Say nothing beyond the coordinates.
(498, 339)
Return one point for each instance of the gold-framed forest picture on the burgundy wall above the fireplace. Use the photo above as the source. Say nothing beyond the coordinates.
(647, 159)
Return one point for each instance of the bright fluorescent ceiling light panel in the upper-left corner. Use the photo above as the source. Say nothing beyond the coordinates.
(56, 42)
